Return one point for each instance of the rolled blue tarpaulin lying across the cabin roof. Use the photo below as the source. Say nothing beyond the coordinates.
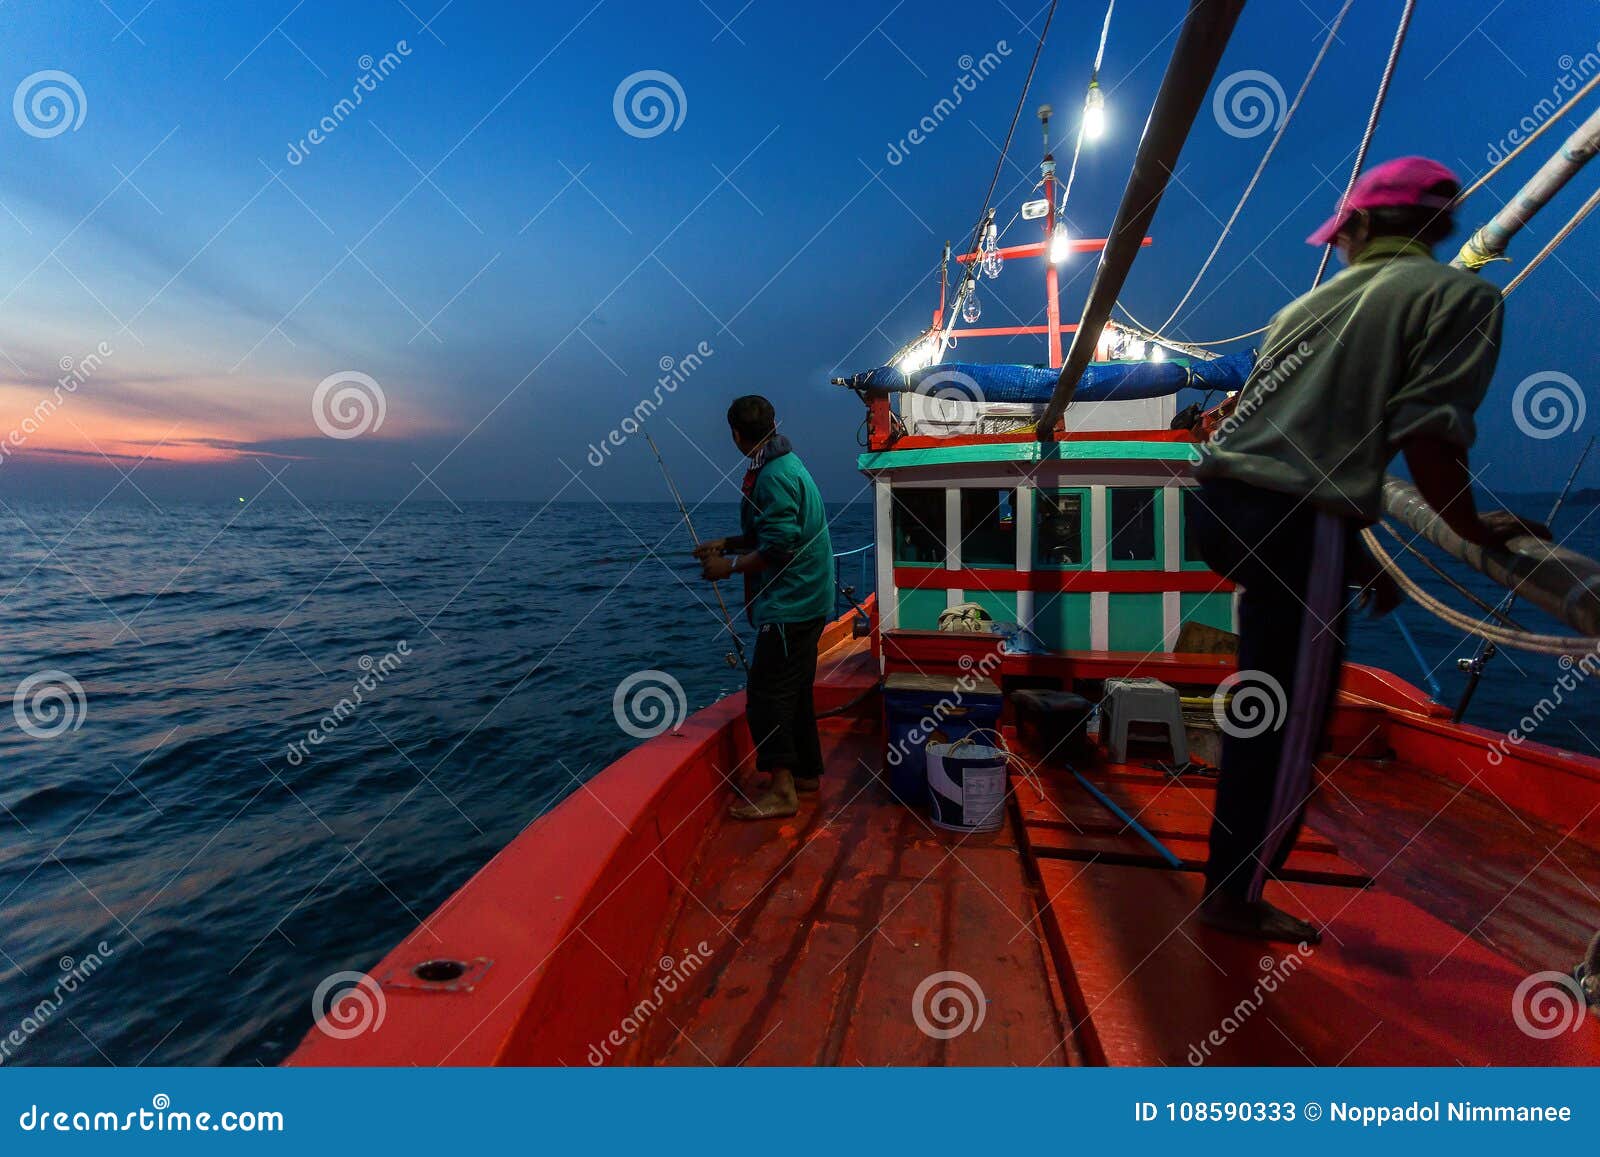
(1110, 382)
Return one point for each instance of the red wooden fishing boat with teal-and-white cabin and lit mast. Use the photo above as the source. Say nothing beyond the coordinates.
(1457, 875)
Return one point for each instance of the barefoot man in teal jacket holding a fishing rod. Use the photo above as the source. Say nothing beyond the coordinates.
(785, 553)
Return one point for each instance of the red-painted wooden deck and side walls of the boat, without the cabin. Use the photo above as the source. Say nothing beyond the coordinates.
(636, 924)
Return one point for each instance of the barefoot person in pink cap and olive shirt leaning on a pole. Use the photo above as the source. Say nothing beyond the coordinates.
(1393, 356)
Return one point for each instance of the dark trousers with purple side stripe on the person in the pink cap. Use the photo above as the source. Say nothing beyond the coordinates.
(1289, 559)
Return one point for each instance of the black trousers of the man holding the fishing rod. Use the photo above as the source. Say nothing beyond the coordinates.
(778, 699)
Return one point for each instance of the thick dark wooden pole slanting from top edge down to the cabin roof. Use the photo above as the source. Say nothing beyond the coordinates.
(1199, 50)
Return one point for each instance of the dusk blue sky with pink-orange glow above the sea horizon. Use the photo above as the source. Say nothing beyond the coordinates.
(484, 241)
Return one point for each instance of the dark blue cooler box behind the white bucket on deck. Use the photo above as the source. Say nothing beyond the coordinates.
(922, 710)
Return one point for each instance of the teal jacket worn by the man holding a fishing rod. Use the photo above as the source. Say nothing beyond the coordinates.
(783, 518)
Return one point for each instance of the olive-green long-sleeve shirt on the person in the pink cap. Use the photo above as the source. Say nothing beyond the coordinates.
(1393, 348)
